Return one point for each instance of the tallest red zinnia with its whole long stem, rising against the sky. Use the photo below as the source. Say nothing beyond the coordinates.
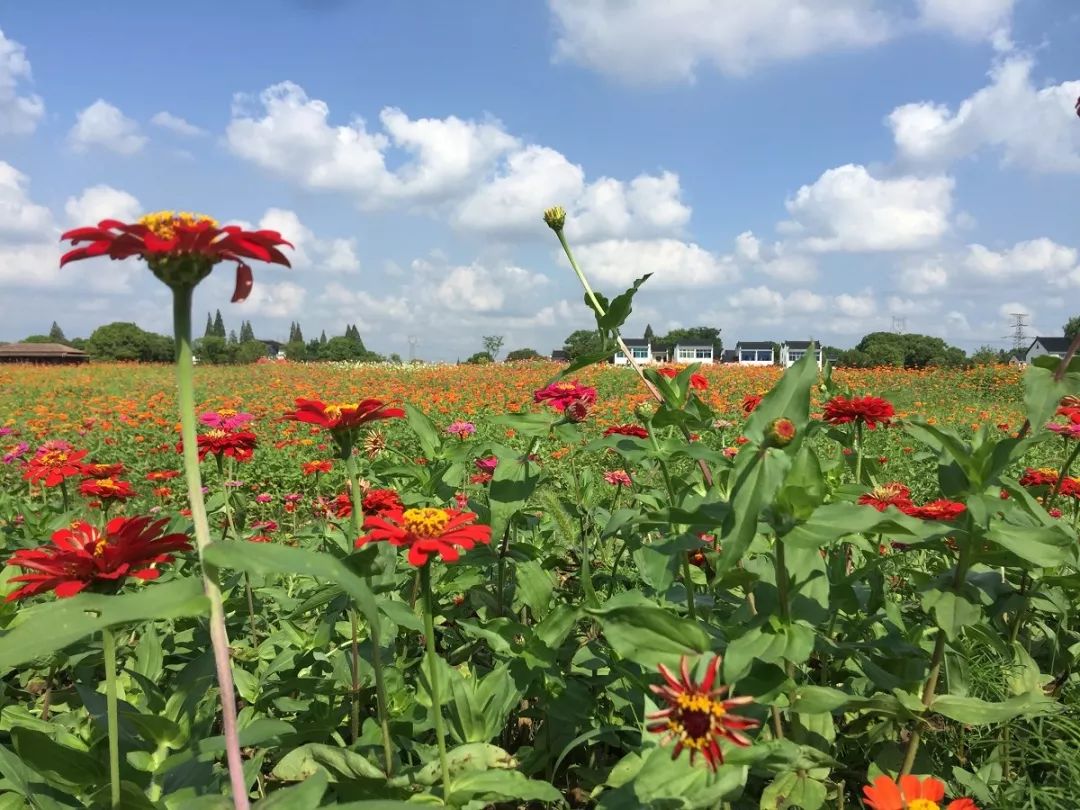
(182, 250)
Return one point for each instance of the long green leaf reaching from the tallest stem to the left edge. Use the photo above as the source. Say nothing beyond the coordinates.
(45, 629)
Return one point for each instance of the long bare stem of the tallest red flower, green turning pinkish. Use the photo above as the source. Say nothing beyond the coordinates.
(219, 634)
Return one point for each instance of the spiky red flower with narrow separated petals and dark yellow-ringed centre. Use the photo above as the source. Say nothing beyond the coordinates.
(697, 717)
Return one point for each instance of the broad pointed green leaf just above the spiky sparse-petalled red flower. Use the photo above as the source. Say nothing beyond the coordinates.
(650, 636)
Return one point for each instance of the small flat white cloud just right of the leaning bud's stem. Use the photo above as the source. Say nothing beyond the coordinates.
(672, 263)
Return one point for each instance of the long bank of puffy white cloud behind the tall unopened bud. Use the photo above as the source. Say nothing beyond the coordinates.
(480, 178)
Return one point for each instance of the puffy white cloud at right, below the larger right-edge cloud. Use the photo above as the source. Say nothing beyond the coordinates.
(847, 209)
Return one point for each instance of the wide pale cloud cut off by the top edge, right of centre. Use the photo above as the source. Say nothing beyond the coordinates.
(646, 42)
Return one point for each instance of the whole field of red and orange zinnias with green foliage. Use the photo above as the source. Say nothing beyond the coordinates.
(479, 586)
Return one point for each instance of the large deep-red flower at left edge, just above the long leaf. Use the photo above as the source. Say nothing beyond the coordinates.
(82, 557)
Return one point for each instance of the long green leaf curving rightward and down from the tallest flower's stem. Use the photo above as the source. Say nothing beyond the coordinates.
(264, 559)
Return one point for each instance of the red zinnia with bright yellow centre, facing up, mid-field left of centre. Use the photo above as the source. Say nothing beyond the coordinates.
(427, 532)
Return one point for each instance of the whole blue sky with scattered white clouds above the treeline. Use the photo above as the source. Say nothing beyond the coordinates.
(787, 169)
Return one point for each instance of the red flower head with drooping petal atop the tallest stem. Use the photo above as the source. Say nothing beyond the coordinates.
(180, 248)
